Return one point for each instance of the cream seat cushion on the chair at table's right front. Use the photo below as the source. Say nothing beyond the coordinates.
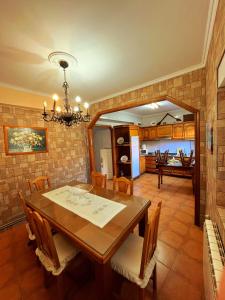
(127, 261)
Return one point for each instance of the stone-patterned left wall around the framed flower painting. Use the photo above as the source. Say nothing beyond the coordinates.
(65, 161)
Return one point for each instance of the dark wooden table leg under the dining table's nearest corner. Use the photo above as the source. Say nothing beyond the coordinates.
(103, 281)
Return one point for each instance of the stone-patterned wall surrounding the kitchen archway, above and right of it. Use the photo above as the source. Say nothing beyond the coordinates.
(186, 89)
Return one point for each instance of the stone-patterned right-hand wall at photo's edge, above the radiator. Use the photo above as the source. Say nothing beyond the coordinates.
(215, 117)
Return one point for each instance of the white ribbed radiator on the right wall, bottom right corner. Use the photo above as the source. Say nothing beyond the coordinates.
(213, 259)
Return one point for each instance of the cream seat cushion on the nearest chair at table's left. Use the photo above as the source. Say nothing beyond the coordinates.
(65, 250)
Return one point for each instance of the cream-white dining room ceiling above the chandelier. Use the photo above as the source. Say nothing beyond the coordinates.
(118, 44)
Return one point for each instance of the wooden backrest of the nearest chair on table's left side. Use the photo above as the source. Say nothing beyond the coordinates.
(43, 234)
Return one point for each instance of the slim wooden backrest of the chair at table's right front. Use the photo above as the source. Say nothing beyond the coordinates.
(150, 239)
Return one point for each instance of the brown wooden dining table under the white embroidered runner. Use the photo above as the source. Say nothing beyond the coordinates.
(99, 244)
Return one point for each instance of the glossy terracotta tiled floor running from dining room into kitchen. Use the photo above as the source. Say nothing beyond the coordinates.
(179, 266)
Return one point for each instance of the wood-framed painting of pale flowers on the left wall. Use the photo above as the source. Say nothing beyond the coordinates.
(25, 140)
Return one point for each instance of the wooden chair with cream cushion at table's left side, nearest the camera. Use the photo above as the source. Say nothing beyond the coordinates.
(55, 252)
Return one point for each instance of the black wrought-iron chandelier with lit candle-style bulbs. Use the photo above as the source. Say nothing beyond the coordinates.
(69, 114)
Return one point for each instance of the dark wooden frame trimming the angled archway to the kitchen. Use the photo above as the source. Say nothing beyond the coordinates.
(196, 113)
